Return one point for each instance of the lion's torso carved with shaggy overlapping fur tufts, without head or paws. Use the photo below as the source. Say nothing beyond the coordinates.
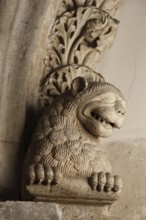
(60, 140)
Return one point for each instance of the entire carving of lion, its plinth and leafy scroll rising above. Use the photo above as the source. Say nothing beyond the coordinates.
(80, 107)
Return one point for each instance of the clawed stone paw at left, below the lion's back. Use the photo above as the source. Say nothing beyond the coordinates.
(39, 174)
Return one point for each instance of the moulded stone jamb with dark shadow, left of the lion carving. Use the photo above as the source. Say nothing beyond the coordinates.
(25, 26)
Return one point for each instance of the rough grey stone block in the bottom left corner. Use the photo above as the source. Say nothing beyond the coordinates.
(29, 211)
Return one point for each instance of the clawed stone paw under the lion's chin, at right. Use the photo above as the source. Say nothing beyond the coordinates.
(105, 182)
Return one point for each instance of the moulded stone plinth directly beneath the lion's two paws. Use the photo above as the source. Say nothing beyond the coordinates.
(72, 190)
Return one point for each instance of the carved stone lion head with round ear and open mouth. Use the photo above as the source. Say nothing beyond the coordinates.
(101, 106)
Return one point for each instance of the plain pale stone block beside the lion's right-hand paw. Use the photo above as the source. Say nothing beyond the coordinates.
(129, 160)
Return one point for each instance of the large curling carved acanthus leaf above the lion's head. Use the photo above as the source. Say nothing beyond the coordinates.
(80, 37)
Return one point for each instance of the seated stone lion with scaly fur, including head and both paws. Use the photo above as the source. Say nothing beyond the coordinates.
(66, 141)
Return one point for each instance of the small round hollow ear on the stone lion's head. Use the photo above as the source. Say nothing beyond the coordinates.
(79, 84)
